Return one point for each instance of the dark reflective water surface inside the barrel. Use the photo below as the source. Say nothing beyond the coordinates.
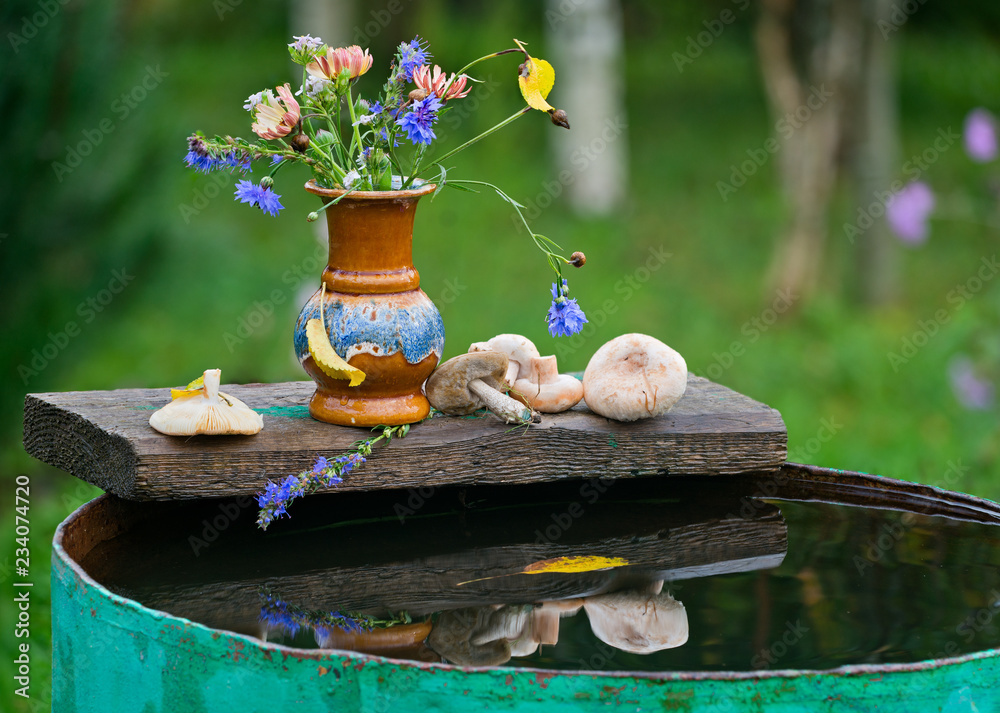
(813, 585)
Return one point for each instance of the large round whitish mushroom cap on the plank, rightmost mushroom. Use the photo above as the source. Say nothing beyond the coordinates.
(634, 376)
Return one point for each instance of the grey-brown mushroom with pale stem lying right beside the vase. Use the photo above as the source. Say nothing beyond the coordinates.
(470, 381)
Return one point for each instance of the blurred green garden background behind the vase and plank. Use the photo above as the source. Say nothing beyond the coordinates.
(194, 263)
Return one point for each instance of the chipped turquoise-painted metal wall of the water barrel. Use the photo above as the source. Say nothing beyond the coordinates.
(113, 654)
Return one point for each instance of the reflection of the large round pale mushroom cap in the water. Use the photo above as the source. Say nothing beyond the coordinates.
(637, 623)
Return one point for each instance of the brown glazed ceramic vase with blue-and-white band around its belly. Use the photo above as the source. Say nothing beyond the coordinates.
(378, 318)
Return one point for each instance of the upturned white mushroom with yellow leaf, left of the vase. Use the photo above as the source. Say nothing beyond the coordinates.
(206, 410)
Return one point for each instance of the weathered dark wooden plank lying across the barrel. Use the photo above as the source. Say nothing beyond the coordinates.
(104, 438)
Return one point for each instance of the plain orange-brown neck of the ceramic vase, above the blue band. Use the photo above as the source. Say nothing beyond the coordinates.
(371, 245)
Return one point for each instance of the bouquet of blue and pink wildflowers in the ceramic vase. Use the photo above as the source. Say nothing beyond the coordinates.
(381, 144)
